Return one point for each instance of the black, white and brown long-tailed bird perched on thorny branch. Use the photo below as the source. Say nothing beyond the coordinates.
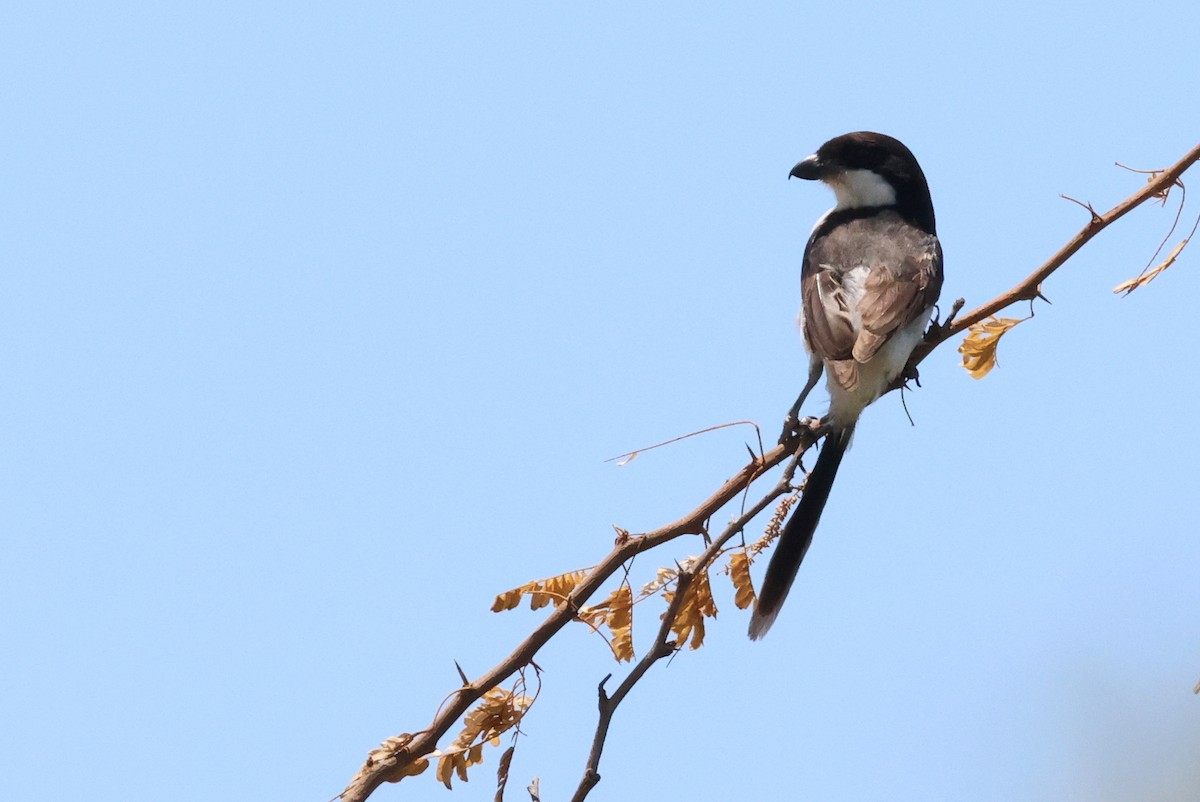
(869, 284)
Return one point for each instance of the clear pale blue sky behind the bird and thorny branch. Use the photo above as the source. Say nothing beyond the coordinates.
(320, 321)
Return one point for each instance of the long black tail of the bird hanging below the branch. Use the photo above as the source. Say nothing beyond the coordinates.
(797, 535)
